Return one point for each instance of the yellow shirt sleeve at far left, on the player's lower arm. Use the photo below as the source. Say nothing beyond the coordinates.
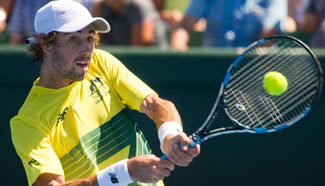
(34, 149)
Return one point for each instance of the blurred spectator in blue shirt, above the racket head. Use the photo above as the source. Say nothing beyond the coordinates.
(231, 23)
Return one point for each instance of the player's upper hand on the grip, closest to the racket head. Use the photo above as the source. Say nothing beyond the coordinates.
(180, 156)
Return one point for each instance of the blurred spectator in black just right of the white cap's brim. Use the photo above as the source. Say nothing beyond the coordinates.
(134, 23)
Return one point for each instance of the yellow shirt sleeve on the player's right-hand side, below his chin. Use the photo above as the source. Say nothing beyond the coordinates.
(129, 87)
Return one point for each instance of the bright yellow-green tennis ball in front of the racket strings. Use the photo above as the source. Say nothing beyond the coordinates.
(275, 83)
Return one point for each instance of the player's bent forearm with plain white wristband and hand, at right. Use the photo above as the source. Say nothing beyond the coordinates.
(168, 121)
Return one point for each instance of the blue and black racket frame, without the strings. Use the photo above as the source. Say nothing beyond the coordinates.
(202, 134)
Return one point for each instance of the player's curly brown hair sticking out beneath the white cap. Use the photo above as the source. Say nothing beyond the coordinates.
(35, 50)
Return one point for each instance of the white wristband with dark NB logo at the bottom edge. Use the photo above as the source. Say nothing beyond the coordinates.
(116, 174)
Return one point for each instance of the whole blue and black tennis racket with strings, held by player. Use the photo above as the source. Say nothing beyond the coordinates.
(244, 99)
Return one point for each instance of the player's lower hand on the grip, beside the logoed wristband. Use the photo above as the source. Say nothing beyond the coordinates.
(149, 168)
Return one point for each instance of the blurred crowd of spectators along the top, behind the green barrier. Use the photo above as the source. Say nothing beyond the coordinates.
(223, 23)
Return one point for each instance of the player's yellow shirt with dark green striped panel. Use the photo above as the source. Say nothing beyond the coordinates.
(77, 130)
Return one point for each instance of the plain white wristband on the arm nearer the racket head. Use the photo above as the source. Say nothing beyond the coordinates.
(169, 127)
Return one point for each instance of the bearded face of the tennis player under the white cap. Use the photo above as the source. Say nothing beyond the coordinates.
(71, 54)
